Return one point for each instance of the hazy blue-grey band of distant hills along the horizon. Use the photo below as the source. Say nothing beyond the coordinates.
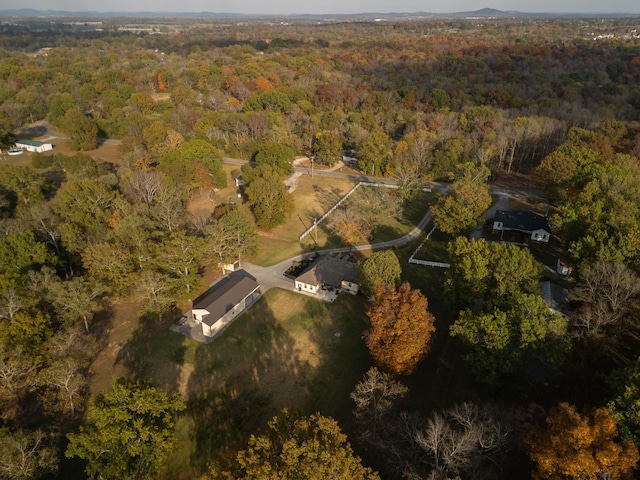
(482, 13)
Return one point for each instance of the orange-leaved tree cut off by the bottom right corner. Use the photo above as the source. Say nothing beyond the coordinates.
(580, 446)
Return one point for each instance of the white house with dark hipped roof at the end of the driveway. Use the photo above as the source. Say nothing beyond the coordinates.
(328, 272)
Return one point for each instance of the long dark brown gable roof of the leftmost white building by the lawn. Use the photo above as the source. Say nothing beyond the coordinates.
(223, 296)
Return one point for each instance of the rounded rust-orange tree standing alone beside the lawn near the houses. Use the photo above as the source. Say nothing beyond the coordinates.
(401, 328)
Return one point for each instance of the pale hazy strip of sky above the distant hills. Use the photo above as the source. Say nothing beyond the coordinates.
(326, 6)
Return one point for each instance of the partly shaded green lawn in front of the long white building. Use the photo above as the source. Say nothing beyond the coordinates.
(288, 350)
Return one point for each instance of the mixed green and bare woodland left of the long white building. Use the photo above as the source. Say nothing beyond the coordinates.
(75, 236)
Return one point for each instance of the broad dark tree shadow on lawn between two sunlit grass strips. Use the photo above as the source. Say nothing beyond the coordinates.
(239, 381)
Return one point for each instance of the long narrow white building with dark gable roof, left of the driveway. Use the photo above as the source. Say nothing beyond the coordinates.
(223, 302)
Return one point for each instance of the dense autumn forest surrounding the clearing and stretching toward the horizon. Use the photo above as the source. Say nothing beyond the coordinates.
(544, 105)
